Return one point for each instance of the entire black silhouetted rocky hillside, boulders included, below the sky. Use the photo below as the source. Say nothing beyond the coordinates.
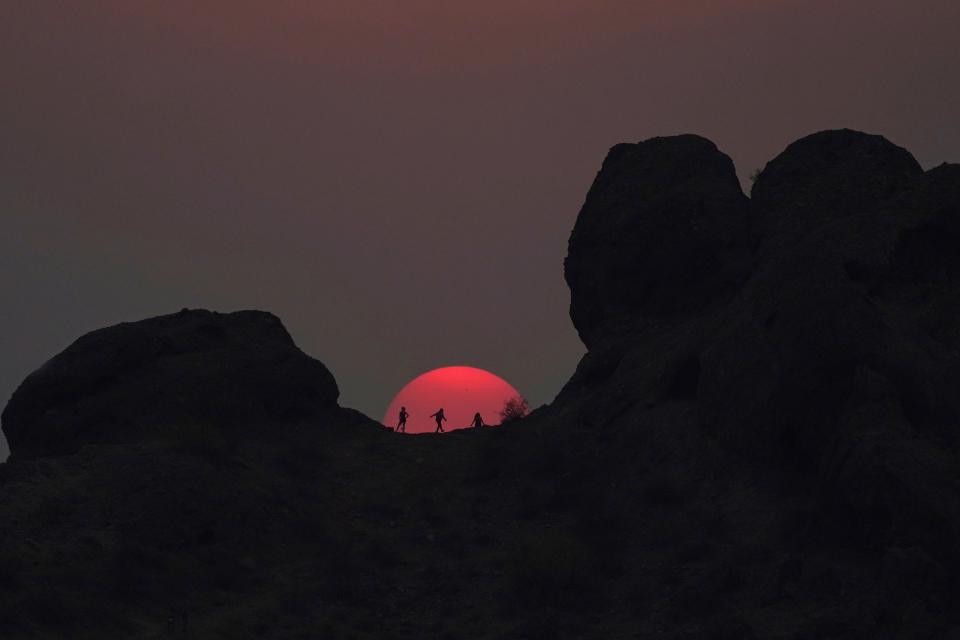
(760, 443)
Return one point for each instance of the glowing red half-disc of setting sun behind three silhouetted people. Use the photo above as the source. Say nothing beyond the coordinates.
(460, 391)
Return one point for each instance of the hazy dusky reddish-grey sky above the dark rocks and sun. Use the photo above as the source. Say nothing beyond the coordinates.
(397, 180)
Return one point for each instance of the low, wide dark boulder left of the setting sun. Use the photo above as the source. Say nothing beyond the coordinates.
(161, 377)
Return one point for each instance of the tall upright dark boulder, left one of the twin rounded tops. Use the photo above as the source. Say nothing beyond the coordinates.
(663, 231)
